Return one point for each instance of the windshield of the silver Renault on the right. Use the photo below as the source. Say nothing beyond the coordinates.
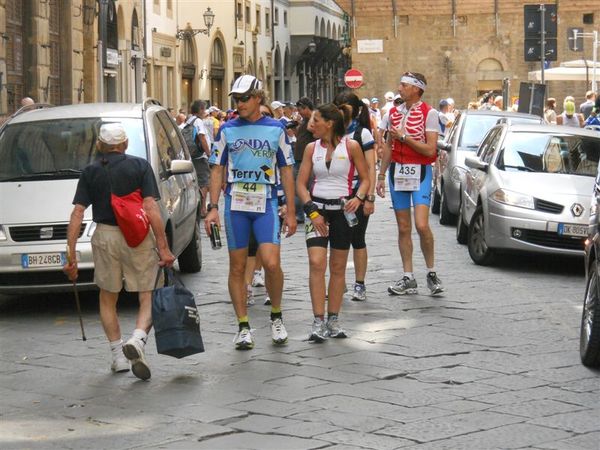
(550, 153)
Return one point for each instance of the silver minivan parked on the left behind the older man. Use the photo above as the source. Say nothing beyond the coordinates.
(44, 149)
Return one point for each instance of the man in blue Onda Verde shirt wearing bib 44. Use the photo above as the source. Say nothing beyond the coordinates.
(257, 155)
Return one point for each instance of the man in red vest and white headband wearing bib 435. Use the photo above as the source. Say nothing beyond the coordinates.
(411, 149)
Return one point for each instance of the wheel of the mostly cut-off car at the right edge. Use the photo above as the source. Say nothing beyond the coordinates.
(589, 339)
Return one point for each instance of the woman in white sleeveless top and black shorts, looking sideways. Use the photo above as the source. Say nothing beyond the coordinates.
(332, 159)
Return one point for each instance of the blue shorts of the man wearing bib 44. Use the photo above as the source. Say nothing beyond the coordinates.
(265, 226)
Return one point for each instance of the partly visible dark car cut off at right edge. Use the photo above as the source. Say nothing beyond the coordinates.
(589, 338)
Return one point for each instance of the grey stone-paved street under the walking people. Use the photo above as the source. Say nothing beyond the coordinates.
(492, 364)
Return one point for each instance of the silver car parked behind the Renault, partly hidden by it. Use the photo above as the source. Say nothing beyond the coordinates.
(463, 139)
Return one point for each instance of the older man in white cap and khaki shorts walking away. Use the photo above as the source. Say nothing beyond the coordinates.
(116, 265)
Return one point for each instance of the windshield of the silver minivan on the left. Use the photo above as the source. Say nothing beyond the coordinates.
(58, 148)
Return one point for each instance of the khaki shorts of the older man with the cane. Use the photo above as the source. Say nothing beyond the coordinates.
(115, 262)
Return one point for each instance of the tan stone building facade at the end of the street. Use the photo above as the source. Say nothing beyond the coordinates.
(464, 47)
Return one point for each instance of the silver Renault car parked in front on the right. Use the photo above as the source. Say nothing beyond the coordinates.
(528, 189)
